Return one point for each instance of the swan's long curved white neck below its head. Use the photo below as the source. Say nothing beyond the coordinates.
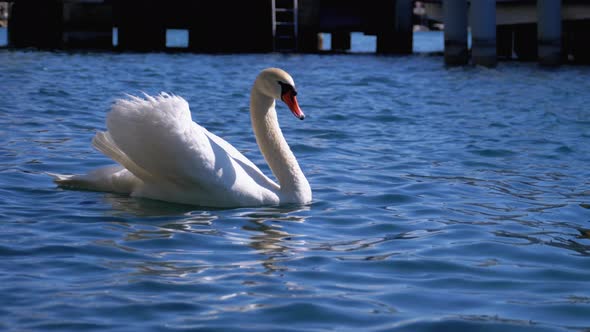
(276, 151)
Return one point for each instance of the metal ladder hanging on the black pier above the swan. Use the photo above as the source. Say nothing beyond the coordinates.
(284, 25)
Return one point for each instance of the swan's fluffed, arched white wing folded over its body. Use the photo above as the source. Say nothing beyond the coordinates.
(159, 136)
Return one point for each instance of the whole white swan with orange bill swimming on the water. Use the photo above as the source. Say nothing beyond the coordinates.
(164, 155)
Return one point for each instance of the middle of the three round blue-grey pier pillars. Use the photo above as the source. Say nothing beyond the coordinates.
(483, 32)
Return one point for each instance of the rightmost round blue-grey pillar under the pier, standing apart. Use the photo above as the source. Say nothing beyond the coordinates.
(549, 32)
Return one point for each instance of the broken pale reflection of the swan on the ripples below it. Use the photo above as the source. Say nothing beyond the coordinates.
(262, 230)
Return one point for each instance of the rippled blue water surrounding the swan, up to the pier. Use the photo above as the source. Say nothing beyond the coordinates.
(444, 200)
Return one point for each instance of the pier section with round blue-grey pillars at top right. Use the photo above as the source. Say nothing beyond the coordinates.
(548, 31)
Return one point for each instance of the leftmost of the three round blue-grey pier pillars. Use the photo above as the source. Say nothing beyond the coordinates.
(455, 32)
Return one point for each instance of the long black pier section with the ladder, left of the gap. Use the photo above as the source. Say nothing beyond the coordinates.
(235, 26)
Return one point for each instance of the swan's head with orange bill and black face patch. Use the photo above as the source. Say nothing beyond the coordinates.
(278, 84)
